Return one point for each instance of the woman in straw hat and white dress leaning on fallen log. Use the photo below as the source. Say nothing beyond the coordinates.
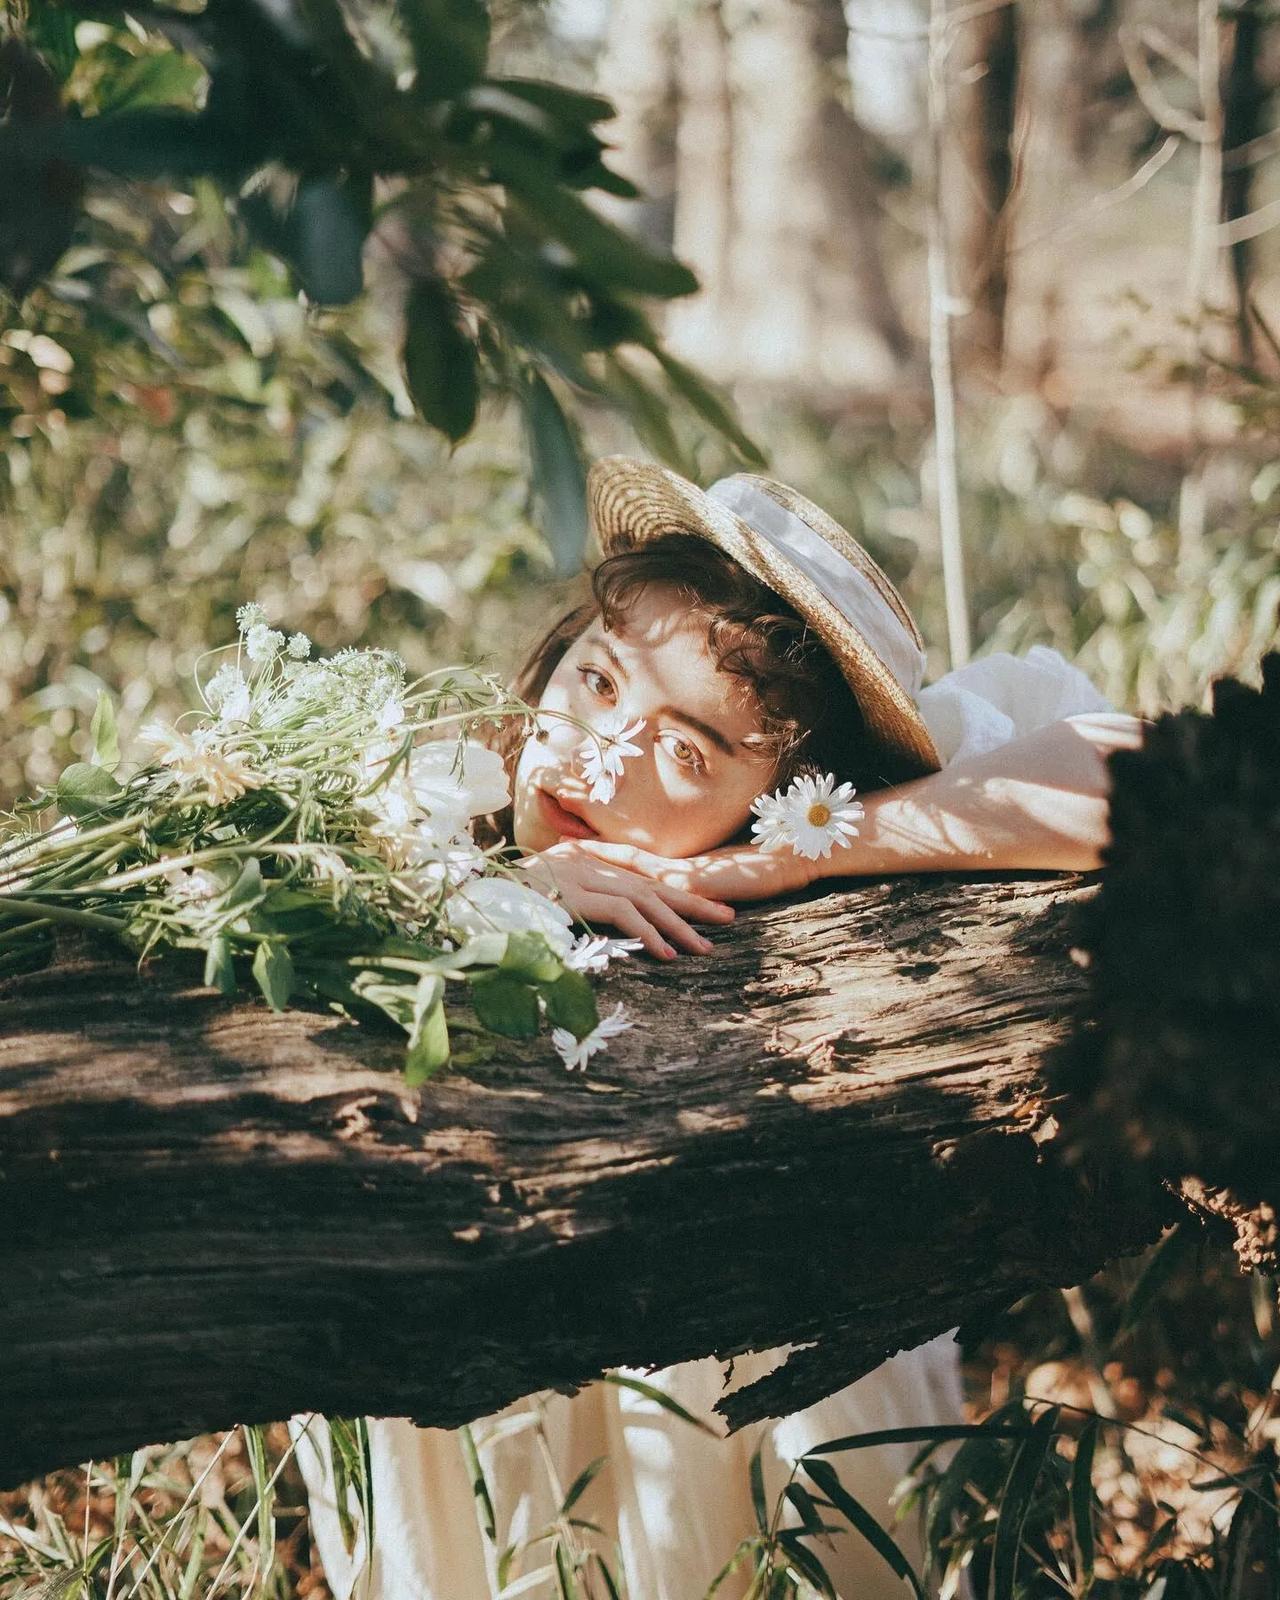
(735, 639)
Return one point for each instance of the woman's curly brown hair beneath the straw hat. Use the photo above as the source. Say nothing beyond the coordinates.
(809, 716)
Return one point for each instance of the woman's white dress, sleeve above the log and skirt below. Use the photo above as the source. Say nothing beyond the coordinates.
(676, 1498)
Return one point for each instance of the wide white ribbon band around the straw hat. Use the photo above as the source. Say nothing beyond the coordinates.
(850, 591)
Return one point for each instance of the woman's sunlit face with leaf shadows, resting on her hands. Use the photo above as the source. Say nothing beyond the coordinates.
(692, 786)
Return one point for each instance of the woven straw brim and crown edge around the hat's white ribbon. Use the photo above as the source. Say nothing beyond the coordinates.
(633, 503)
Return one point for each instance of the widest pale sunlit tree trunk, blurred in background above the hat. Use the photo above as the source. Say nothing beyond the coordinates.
(777, 212)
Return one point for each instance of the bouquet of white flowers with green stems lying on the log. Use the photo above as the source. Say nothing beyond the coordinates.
(310, 831)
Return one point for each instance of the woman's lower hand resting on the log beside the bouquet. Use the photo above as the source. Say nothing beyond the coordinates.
(642, 905)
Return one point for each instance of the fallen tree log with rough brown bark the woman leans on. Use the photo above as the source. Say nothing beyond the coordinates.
(834, 1134)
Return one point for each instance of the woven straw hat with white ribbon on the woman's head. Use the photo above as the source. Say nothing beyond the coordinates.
(801, 553)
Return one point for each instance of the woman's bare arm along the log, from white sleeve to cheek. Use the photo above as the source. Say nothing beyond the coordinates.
(1039, 802)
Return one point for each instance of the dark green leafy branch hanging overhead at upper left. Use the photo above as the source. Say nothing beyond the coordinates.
(313, 119)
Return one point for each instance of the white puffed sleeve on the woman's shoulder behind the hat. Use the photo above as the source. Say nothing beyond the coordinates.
(985, 705)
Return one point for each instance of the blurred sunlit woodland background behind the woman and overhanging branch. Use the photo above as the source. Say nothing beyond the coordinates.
(185, 433)
